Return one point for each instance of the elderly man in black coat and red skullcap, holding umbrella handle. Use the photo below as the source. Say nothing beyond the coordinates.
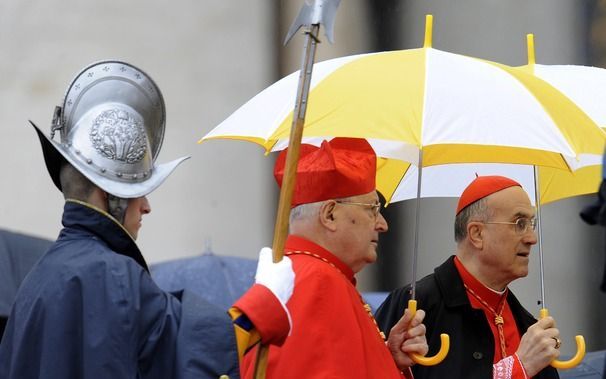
(468, 296)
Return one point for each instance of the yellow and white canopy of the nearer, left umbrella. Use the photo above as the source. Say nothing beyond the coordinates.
(452, 108)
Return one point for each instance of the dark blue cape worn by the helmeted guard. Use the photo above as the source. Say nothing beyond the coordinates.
(89, 309)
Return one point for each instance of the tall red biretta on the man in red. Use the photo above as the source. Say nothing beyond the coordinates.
(340, 168)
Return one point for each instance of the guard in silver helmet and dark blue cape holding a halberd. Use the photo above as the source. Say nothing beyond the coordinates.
(89, 308)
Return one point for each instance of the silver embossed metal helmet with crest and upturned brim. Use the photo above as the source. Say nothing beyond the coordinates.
(111, 127)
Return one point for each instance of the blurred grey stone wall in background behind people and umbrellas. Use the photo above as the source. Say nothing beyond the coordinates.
(209, 57)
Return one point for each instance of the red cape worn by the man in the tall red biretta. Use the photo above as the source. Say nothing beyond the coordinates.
(333, 334)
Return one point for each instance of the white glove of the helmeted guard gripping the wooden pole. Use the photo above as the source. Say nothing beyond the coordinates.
(279, 277)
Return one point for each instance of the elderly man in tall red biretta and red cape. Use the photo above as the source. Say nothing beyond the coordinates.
(335, 224)
